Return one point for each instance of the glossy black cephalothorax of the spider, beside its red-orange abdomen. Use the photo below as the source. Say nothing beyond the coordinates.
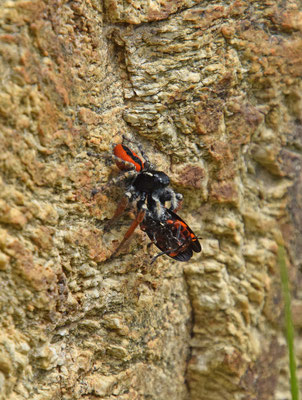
(151, 180)
